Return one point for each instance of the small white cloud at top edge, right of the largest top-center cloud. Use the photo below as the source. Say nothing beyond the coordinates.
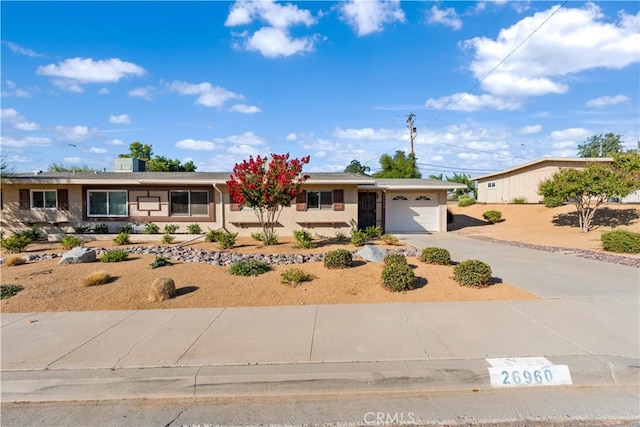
(370, 16)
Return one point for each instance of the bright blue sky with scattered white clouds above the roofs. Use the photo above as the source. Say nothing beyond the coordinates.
(491, 84)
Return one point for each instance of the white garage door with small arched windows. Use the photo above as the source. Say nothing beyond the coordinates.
(411, 213)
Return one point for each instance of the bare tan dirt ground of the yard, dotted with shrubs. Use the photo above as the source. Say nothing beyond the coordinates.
(52, 287)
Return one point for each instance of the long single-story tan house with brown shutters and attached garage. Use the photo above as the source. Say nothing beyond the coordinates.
(329, 202)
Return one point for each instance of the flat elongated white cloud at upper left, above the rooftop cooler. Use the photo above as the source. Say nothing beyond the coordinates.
(71, 73)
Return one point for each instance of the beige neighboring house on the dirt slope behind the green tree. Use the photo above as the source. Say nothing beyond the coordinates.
(522, 181)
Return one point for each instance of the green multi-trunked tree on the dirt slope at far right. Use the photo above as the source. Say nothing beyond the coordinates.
(588, 188)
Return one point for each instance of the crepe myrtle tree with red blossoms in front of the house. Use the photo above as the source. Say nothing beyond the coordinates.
(267, 185)
